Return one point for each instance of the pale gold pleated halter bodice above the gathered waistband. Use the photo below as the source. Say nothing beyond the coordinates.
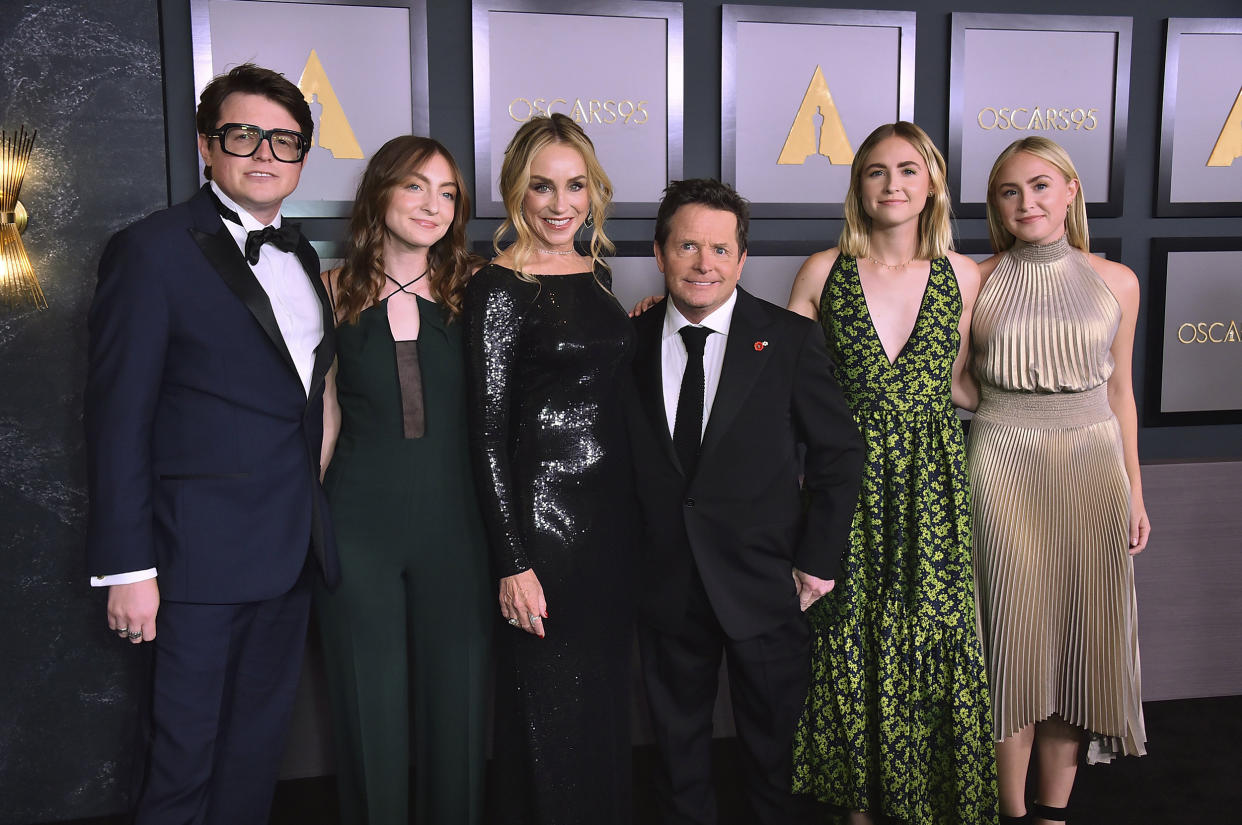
(1045, 322)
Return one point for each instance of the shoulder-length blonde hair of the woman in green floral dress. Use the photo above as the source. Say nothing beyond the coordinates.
(936, 221)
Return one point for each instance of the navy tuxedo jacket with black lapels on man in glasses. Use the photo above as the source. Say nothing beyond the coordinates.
(203, 447)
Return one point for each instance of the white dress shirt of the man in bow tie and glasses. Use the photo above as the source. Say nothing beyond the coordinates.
(297, 311)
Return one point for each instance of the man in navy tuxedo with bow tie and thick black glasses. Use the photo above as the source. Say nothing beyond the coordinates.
(211, 339)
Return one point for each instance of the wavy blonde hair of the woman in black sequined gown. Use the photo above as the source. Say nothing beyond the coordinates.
(532, 137)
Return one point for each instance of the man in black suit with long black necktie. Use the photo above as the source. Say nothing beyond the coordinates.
(728, 387)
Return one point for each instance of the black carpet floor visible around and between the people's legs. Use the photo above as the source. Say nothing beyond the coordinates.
(1193, 776)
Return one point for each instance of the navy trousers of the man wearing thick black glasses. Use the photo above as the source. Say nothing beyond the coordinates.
(225, 677)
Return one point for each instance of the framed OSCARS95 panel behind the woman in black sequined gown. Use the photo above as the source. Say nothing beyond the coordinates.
(629, 99)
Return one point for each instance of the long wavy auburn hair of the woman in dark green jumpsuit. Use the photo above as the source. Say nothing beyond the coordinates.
(450, 264)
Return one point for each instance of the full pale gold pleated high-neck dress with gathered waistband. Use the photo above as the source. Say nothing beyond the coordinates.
(1051, 504)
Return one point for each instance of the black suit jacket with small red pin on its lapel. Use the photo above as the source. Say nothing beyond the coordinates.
(742, 520)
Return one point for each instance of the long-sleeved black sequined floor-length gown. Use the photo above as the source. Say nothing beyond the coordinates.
(547, 365)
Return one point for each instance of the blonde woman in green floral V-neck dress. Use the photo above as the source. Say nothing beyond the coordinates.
(897, 722)
